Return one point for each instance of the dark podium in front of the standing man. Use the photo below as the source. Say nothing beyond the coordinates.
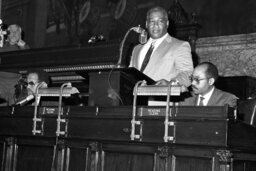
(113, 87)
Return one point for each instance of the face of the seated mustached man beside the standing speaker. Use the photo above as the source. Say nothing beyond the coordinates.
(199, 81)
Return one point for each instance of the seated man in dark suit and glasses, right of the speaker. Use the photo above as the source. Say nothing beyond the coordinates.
(202, 82)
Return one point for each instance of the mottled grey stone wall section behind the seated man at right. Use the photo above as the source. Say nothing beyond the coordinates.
(233, 55)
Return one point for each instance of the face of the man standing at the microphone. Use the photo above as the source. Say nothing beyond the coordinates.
(157, 24)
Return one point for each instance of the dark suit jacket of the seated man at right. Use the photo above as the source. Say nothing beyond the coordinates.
(218, 98)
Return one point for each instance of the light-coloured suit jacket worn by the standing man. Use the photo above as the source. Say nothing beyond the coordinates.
(171, 60)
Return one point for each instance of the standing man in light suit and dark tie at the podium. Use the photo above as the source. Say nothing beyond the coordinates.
(171, 58)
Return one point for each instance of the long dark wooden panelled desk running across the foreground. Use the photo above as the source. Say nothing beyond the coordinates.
(205, 139)
